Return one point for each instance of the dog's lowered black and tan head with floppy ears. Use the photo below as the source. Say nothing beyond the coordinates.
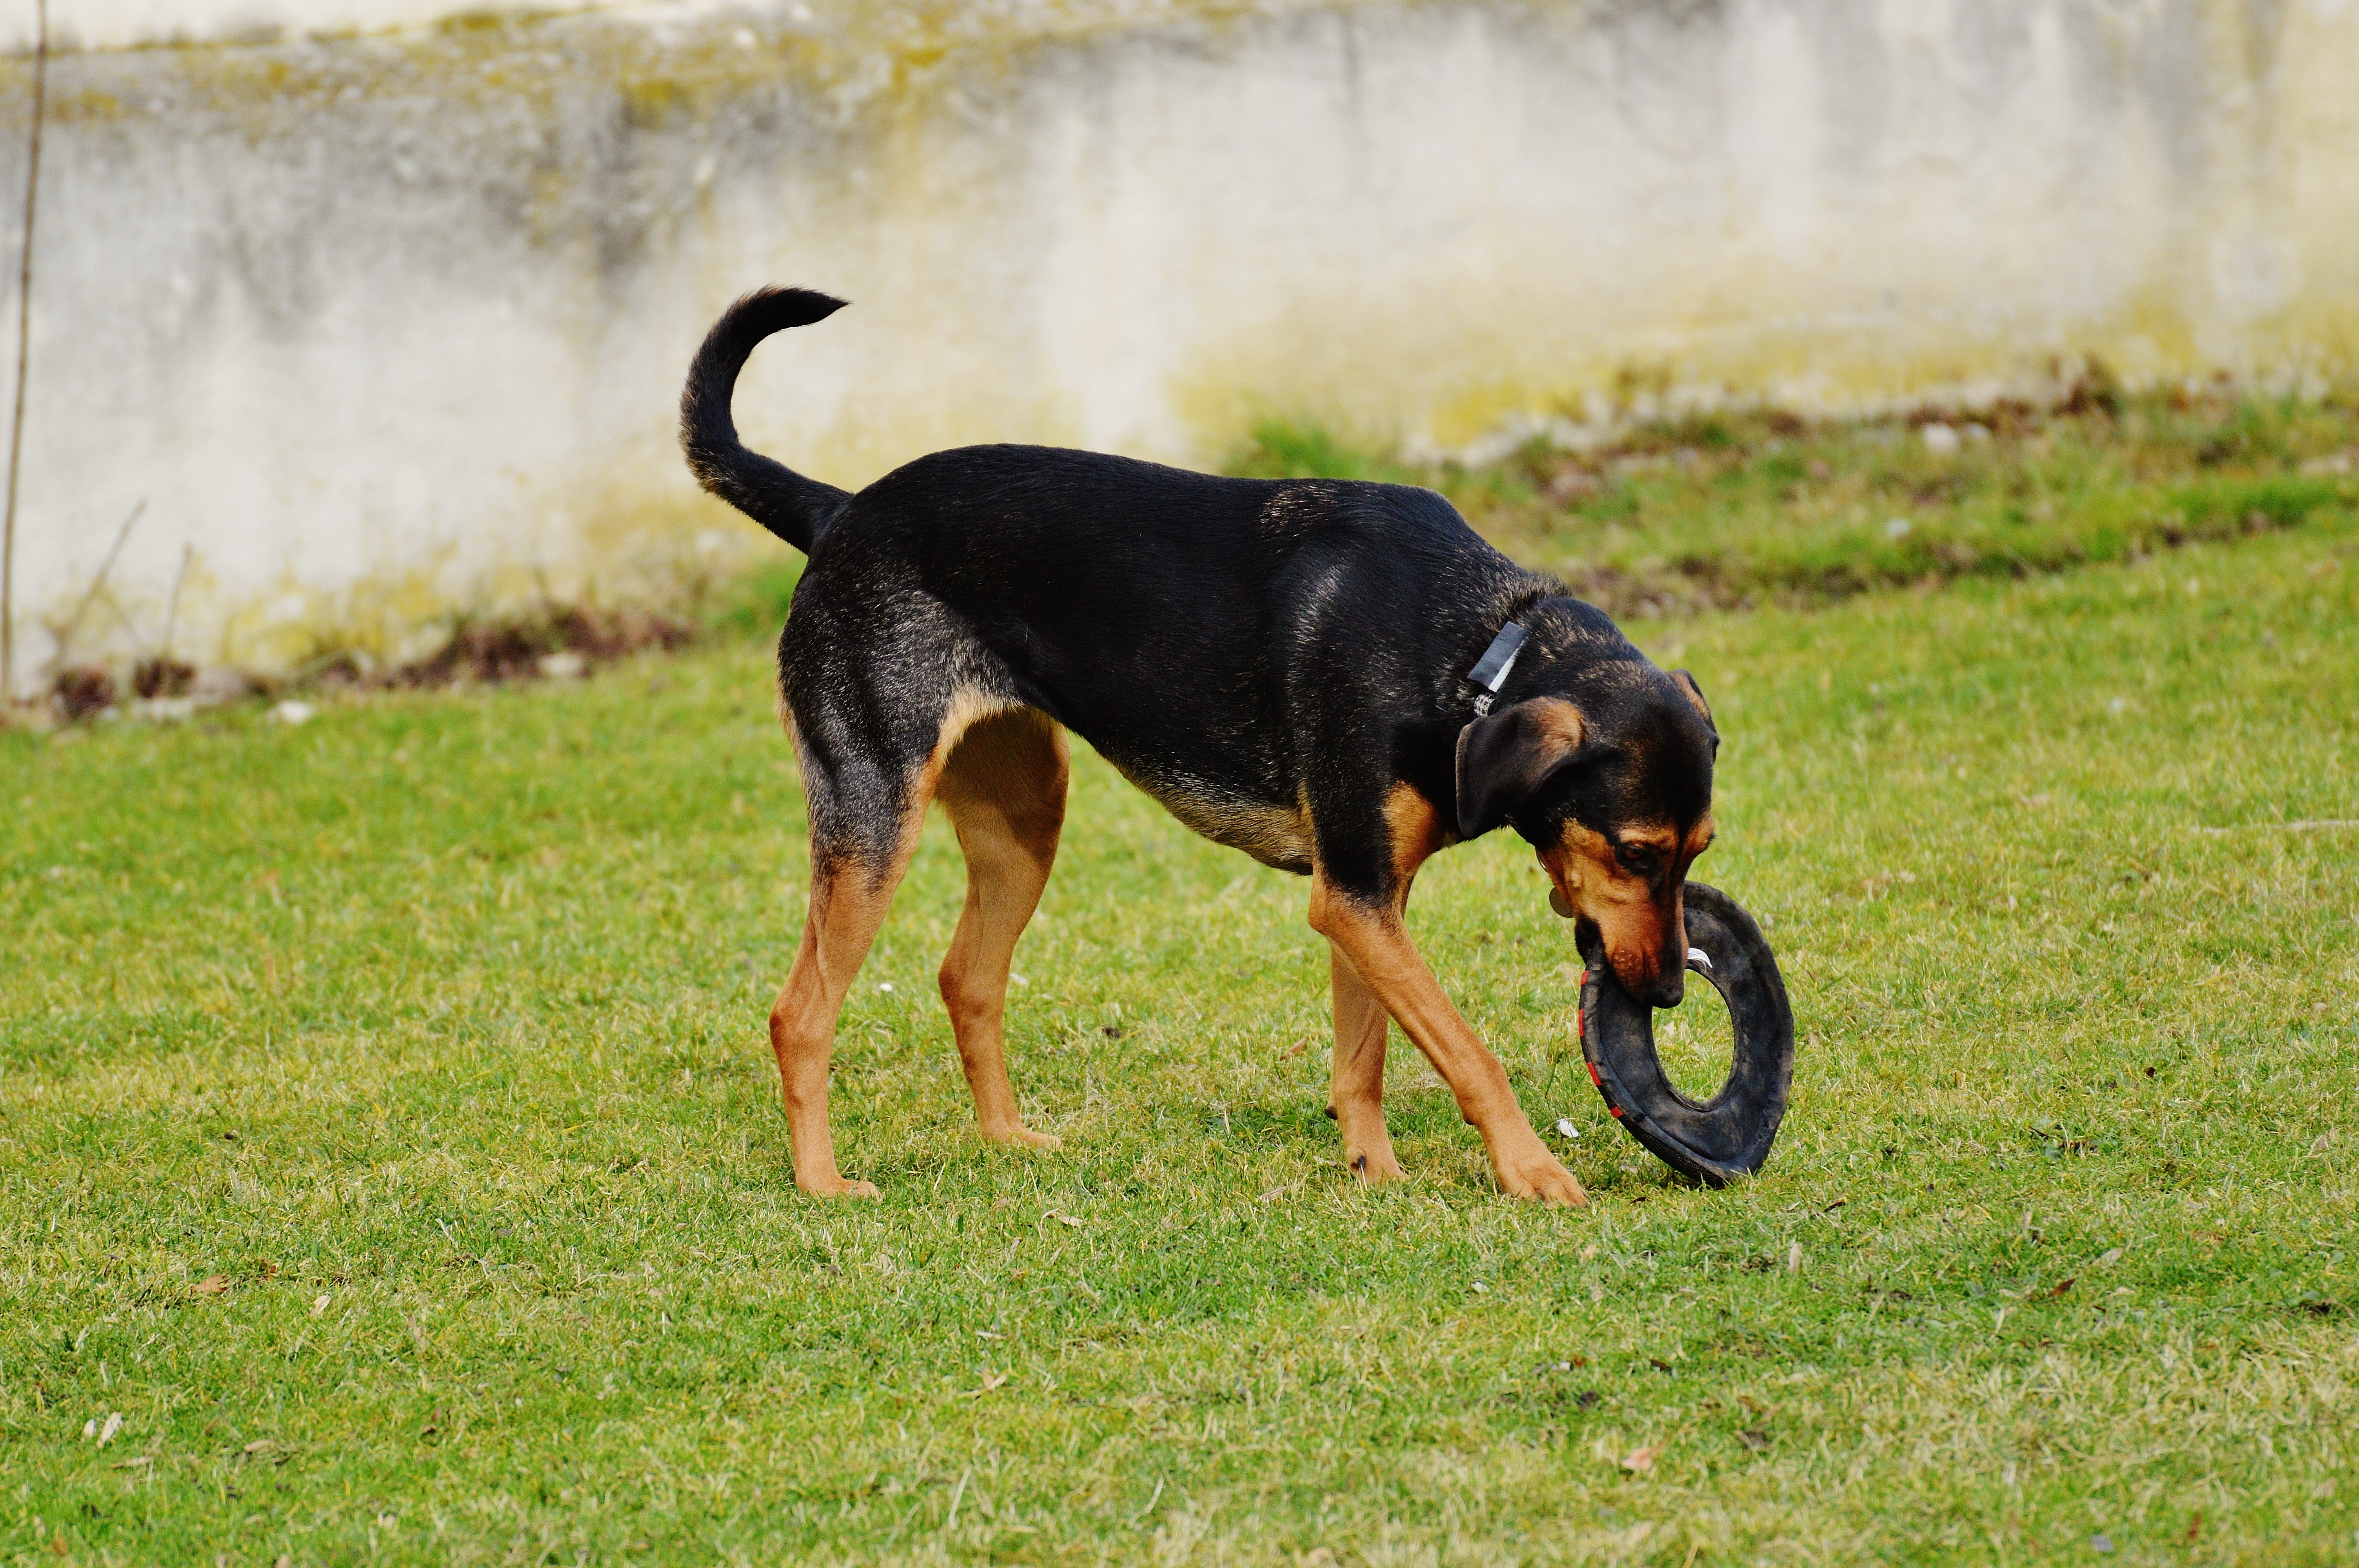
(1608, 772)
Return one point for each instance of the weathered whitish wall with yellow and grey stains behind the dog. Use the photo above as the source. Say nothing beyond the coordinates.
(393, 322)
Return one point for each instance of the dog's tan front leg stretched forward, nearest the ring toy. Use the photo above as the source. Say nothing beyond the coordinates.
(1376, 944)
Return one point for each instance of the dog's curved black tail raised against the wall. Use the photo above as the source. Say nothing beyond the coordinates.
(799, 510)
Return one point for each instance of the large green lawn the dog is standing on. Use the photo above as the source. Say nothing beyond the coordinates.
(433, 1034)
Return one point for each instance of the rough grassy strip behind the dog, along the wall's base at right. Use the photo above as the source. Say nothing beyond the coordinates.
(1747, 508)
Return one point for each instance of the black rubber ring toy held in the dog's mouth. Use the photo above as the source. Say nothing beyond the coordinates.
(1728, 1135)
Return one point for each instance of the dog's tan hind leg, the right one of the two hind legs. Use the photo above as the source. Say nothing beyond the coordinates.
(1006, 798)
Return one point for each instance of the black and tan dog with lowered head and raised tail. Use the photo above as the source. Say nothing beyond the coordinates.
(1325, 676)
